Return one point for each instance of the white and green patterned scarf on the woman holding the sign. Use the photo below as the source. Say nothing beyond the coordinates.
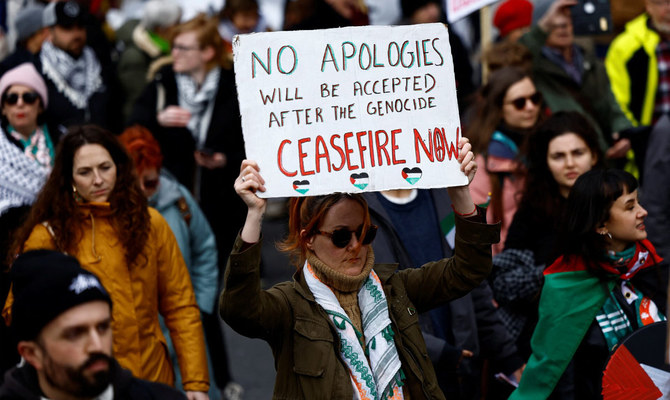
(382, 376)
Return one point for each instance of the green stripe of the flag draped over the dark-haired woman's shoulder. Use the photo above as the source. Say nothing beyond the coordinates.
(568, 305)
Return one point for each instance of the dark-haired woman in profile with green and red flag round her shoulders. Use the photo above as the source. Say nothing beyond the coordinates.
(606, 284)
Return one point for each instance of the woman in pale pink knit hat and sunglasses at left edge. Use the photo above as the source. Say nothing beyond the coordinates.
(27, 146)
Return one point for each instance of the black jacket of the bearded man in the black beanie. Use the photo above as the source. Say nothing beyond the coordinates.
(22, 384)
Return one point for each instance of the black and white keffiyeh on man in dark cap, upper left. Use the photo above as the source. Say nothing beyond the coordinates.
(75, 79)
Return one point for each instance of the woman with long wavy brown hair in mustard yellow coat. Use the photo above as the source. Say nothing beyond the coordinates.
(92, 208)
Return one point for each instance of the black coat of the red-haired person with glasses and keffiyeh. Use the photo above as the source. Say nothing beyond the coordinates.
(218, 200)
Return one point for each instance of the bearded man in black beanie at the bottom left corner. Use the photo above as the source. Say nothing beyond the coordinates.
(62, 321)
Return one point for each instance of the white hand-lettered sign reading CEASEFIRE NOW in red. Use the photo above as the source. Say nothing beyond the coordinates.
(350, 109)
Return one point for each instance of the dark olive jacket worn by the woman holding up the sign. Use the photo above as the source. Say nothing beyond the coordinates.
(305, 343)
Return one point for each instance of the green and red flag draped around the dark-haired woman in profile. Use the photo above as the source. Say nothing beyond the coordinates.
(571, 298)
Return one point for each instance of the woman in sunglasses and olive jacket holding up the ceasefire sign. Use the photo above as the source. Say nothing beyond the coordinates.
(347, 327)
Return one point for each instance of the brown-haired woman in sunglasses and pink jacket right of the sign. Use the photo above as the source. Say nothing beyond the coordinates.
(507, 110)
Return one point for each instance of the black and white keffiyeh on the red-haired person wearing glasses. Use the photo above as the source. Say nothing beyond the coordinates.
(199, 101)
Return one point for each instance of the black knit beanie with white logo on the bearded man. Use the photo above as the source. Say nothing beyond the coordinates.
(47, 283)
